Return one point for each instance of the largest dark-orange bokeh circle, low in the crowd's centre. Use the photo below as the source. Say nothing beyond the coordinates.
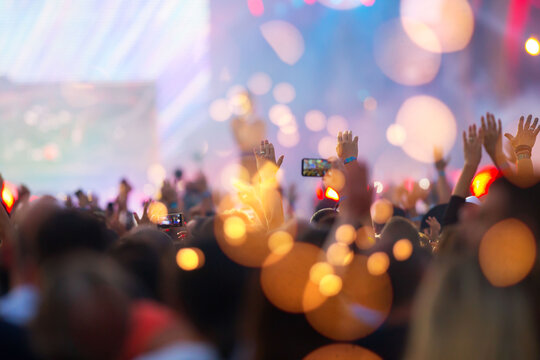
(358, 309)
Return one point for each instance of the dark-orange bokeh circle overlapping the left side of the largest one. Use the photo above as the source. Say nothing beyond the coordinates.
(287, 281)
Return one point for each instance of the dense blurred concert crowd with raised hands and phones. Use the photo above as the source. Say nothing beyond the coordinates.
(371, 276)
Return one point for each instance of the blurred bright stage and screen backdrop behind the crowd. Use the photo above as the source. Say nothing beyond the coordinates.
(92, 91)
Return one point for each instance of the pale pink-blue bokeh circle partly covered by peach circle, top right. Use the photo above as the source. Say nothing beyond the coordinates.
(401, 59)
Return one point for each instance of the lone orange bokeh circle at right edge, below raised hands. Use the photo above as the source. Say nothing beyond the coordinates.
(507, 252)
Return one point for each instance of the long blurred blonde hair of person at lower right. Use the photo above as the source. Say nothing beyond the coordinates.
(459, 315)
